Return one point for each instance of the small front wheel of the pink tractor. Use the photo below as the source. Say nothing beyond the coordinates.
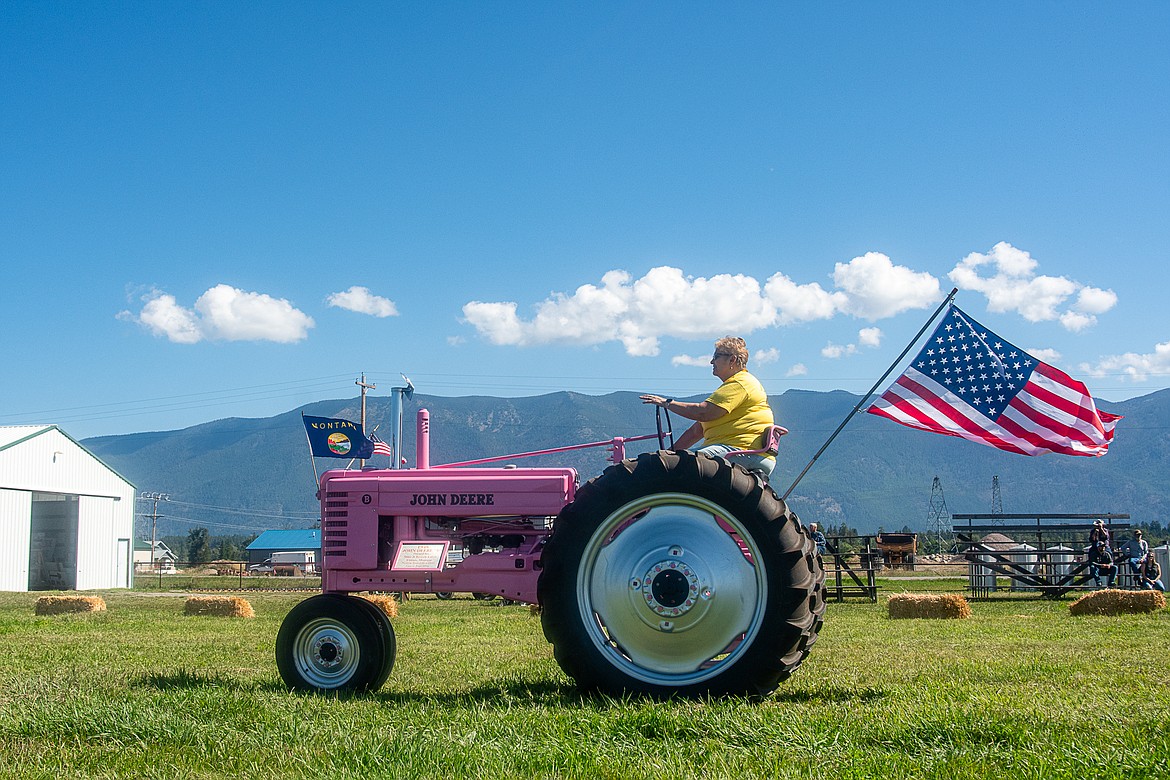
(332, 644)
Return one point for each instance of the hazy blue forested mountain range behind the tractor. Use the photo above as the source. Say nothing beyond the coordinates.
(249, 475)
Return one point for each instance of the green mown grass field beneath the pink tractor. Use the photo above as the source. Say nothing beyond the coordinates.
(1020, 691)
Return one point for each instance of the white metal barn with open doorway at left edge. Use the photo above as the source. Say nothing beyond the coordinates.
(67, 520)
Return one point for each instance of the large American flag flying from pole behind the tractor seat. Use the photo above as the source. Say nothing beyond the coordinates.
(969, 383)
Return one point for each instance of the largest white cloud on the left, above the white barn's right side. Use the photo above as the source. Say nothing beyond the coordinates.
(224, 314)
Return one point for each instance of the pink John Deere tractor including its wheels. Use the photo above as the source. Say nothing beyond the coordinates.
(670, 575)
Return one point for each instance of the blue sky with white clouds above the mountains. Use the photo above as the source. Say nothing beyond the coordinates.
(219, 210)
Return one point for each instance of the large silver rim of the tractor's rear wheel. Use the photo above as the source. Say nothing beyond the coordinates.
(671, 590)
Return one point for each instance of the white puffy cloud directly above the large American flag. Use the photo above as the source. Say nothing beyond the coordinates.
(1013, 286)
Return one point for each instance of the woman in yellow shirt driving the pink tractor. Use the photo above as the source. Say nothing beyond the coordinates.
(734, 418)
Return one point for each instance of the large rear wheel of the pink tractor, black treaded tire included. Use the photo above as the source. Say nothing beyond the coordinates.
(680, 575)
